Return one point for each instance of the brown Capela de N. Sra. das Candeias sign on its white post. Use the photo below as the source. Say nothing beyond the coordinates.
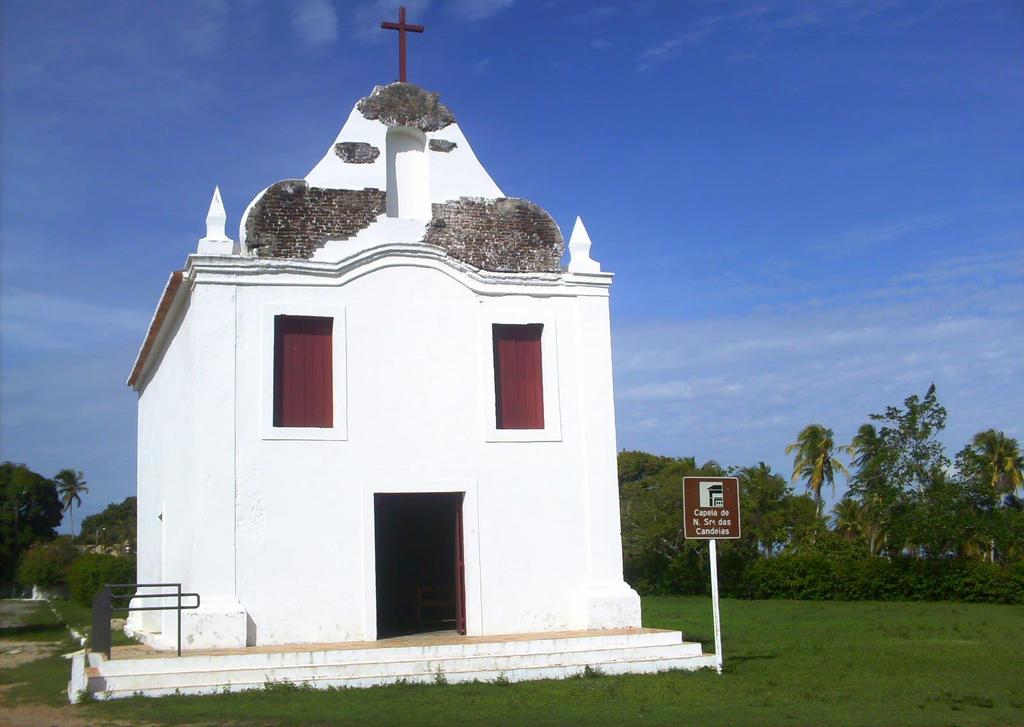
(711, 509)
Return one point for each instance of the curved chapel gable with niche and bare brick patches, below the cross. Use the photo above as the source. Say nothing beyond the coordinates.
(401, 156)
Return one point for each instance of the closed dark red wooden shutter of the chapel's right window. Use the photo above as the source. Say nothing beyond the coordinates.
(519, 378)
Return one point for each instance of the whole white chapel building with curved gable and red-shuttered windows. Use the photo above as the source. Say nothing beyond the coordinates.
(386, 409)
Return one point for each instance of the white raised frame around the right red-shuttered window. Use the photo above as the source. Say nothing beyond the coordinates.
(520, 316)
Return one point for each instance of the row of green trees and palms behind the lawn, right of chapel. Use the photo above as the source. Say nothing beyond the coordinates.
(912, 521)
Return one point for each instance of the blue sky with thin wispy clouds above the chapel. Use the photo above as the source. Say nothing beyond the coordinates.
(814, 209)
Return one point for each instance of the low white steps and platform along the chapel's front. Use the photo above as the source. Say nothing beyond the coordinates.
(458, 660)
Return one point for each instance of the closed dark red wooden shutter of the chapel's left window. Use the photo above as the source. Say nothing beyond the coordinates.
(304, 387)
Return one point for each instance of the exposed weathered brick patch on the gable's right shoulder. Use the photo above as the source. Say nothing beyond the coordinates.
(505, 236)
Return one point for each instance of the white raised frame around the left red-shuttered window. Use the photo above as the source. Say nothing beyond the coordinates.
(339, 374)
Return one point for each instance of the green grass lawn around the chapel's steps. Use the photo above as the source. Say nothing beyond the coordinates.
(787, 664)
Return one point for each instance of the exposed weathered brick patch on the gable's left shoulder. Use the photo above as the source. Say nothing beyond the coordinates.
(293, 220)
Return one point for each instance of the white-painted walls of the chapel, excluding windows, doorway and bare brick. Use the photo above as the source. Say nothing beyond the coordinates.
(274, 527)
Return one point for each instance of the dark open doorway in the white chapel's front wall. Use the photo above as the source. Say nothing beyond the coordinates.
(420, 583)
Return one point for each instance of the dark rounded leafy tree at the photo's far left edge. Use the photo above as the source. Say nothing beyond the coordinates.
(30, 510)
